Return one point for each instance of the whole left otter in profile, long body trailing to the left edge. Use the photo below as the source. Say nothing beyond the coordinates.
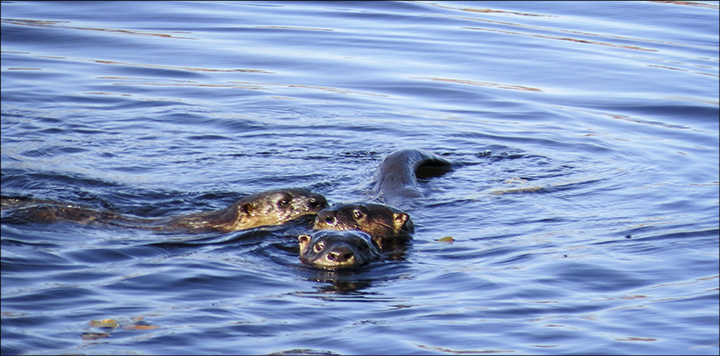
(273, 207)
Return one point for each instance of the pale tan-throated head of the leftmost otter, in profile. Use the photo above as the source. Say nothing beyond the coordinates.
(275, 207)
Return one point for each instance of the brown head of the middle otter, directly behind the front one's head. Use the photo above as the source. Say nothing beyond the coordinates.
(378, 220)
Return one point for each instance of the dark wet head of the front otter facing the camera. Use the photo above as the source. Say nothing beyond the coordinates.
(337, 249)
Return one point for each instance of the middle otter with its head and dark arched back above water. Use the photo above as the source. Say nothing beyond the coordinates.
(396, 183)
